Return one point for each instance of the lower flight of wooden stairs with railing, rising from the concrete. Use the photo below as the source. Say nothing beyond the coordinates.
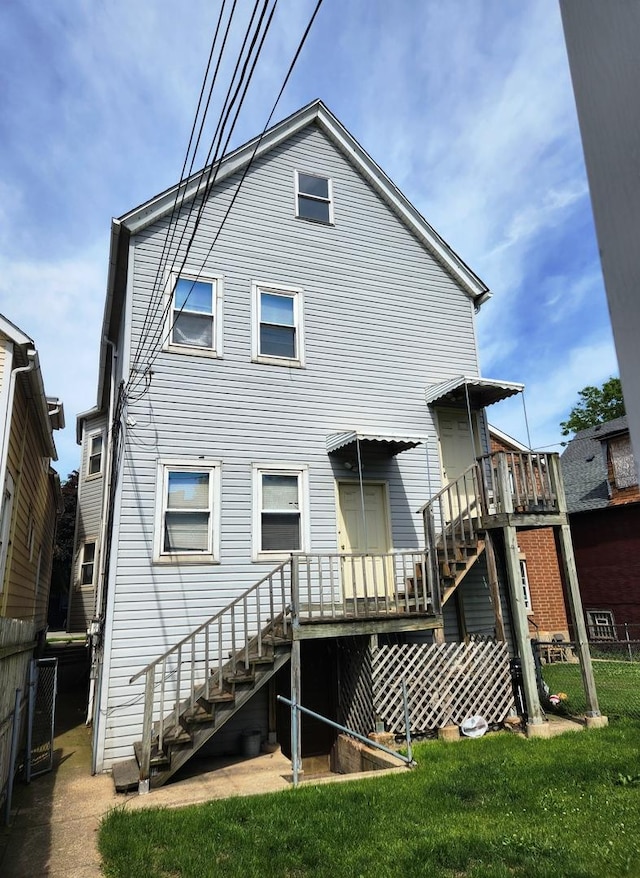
(210, 690)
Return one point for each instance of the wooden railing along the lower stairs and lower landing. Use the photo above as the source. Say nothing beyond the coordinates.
(305, 588)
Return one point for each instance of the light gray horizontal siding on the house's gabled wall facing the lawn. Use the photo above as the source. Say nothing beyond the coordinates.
(382, 320)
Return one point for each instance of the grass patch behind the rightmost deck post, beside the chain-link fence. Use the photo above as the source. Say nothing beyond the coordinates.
(617, 685)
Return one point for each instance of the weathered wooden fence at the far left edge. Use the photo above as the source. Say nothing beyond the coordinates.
(17, 643)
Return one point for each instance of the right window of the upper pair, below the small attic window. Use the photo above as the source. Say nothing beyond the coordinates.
(277, 329)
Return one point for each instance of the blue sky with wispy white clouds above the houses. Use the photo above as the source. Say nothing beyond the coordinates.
(467, 105)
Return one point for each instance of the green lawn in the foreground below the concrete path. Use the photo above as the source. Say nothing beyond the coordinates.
(496, 807)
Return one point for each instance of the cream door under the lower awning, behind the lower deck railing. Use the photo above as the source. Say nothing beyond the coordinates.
(365, 536)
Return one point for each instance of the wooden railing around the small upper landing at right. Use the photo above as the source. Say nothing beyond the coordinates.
(520, 482)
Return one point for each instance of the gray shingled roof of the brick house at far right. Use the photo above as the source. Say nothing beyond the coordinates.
(584, 466)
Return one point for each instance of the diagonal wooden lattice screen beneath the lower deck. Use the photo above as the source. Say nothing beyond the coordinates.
(446, 684)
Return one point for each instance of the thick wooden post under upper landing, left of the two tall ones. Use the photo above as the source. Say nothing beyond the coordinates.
(521, 626)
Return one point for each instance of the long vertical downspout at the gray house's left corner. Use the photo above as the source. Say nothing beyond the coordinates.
(97, 623)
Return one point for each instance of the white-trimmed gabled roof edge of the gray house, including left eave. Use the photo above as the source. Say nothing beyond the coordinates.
(315, 113)
